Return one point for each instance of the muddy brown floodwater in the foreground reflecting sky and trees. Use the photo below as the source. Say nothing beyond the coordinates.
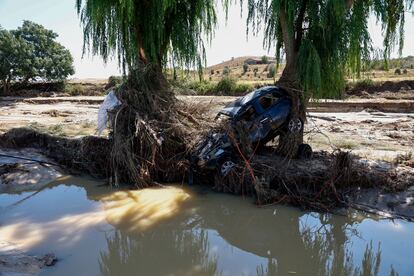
(96, 230)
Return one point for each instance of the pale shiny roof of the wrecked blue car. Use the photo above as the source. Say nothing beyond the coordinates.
(234, 107)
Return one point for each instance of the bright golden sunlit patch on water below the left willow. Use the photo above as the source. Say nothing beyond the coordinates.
(141, 209)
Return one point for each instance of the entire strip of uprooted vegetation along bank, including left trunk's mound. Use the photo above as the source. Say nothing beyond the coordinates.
(152, 134)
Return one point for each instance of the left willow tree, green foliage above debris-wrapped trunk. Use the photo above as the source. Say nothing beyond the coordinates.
(149, 138)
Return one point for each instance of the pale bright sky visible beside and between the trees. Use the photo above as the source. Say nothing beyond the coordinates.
(229, 41)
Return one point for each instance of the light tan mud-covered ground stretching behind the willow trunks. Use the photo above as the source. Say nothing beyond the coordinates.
(369, 133)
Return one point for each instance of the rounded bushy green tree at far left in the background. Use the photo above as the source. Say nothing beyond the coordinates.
(31, 52)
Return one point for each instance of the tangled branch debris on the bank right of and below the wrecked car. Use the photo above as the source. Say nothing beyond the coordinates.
(321, 183)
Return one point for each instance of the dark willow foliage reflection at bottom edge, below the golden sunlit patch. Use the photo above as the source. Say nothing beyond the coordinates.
(163, 252)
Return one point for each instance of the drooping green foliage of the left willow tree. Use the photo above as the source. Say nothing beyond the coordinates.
(149, 31)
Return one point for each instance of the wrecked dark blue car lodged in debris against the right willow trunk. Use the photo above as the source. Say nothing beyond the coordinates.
(263, 114)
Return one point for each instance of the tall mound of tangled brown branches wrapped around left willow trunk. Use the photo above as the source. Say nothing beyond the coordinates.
(152, 131)
